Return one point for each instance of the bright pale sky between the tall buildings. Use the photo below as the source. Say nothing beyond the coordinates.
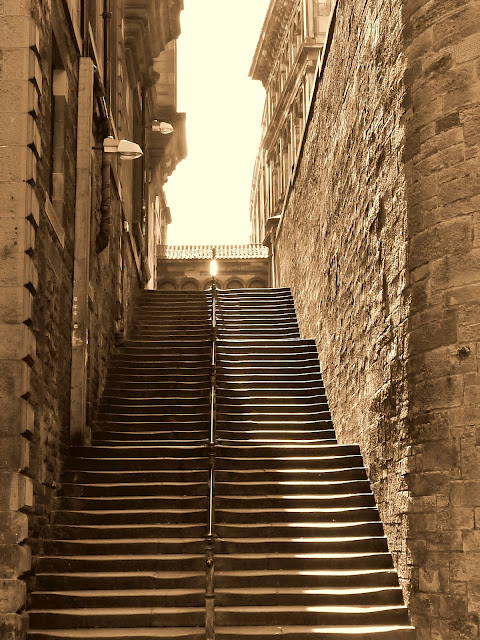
(209, 192)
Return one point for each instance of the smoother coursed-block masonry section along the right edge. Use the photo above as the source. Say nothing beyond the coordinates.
(442, 168)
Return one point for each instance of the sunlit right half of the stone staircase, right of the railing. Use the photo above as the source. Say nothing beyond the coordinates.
(301, 552)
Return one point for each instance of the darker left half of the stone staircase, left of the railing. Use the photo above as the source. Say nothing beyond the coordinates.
(126, 557)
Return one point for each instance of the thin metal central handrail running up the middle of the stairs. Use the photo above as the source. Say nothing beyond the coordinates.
(210, 537)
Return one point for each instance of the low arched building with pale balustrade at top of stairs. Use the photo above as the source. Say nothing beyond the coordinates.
(187, 267)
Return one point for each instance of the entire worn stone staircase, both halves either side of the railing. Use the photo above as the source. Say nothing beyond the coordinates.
(299, 553)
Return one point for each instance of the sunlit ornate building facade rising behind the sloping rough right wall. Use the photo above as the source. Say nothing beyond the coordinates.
(285, 60)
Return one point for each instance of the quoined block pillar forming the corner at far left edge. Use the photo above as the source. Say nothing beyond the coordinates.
(20, 149)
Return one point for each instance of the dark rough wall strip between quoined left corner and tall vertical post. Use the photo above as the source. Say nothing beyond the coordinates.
(53, 259)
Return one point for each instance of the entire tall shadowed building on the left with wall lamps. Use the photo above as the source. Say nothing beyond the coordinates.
(78, 234)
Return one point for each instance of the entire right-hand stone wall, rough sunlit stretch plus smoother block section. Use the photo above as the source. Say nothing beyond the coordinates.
(380, 243)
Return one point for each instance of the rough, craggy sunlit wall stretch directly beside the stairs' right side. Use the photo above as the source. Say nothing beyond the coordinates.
(342, 247)
